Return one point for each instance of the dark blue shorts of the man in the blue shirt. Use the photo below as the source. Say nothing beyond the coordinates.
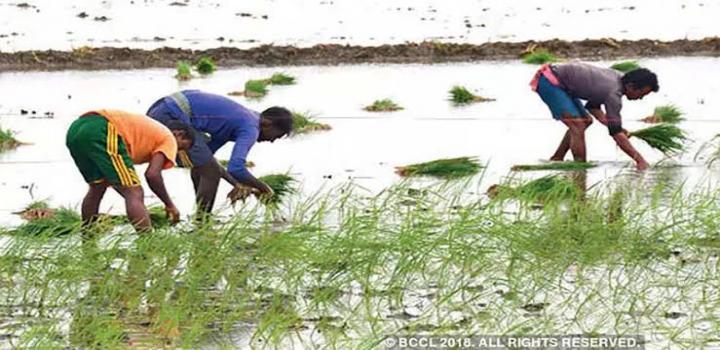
(199, 154)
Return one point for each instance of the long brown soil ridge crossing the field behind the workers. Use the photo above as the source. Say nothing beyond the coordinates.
(329, 54)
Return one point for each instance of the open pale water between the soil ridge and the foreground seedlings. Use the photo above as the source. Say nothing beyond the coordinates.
(363, 147)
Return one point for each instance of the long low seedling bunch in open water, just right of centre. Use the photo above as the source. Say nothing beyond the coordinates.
(451, 168)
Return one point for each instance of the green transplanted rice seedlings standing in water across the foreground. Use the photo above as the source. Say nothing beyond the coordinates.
(346, 260)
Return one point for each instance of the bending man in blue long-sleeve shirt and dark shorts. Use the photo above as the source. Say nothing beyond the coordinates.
(223, 120)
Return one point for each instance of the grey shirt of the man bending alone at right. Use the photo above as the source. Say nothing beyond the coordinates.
(598, 86)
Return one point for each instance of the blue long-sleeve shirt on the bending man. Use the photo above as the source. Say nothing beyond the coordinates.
(224, 120)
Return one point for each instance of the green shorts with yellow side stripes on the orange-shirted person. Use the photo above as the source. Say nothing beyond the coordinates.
(100, 153)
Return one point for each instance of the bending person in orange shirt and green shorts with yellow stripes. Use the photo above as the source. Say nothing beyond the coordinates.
(106, 143)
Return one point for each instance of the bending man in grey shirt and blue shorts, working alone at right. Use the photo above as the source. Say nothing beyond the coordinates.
(562, 87)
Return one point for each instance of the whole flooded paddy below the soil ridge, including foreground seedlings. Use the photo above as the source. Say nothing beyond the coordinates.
(360, 254)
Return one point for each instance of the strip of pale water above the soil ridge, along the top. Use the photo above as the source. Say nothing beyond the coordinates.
(152, 23)
